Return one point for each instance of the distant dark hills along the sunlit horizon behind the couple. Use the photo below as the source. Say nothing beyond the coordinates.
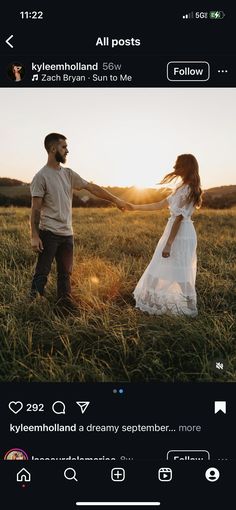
(15, 192)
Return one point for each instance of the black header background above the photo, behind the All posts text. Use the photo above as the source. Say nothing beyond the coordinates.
(69, 32)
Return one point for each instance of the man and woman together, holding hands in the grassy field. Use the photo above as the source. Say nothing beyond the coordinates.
(168, 283)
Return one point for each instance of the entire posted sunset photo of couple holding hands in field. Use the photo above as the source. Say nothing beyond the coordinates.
(117, 254)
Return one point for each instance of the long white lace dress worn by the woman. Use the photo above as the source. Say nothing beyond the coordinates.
(168, 284)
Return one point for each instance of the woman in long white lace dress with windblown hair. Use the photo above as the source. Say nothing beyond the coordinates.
(168, 283)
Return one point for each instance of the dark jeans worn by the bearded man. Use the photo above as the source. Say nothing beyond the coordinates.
(60, 248)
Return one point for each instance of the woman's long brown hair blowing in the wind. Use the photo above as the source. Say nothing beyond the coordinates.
(186, 167)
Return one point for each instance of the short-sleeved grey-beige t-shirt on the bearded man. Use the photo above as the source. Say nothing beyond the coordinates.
(56, 189)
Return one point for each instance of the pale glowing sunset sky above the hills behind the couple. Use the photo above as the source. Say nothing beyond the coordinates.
(121, 137)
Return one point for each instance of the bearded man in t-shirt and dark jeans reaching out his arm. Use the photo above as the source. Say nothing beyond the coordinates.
(51, 218)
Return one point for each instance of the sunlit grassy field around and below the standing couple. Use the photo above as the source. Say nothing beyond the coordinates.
(111, 340)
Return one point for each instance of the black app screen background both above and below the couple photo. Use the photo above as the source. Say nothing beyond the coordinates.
(69, 31)
